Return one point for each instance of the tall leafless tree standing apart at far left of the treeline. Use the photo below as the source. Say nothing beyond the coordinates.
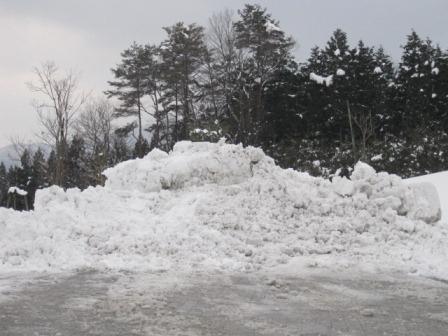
(60, 101)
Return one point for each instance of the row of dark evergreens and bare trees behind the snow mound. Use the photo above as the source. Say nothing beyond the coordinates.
(238, 78)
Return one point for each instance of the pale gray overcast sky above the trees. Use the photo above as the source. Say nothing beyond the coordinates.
(88, 36)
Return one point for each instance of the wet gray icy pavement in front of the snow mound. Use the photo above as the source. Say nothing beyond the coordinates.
(316, 303)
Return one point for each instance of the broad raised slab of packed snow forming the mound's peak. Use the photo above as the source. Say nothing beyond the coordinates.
(189, 164)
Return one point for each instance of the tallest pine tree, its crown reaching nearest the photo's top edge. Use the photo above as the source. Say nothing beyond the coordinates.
(267, 52)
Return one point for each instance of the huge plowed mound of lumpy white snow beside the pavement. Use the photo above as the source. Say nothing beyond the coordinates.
(220, 206)
